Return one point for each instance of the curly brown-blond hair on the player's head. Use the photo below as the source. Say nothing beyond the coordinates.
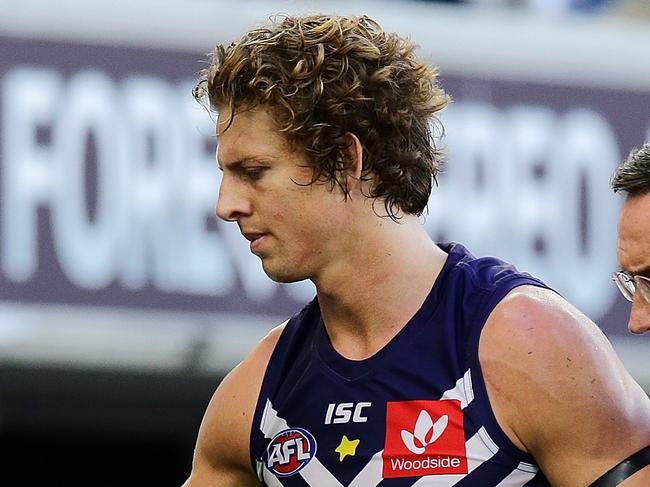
(323, 76)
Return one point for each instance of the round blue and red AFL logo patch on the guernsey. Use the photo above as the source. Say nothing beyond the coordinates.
(290, 451)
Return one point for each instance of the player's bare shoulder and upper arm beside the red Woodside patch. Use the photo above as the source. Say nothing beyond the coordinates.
(558, 388)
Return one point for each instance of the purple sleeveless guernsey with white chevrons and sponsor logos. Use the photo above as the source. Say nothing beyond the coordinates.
(414, 414)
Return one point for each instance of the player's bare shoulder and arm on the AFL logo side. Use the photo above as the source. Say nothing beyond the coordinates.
(222, 456)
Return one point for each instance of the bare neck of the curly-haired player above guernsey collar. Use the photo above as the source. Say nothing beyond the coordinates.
(369, 294)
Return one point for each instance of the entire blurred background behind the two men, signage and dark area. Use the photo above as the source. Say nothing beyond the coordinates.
(123, 302)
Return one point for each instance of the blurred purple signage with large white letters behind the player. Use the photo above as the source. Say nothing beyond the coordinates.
(108, 177)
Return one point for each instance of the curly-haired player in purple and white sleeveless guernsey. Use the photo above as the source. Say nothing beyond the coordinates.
(416, 363)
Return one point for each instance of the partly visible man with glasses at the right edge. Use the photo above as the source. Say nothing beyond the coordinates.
(633, 178)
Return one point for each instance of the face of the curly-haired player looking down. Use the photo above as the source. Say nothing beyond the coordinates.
(296, 228)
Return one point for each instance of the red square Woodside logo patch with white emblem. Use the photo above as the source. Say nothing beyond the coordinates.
(424, 438)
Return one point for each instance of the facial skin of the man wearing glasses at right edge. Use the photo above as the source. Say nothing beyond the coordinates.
(634, 253)
